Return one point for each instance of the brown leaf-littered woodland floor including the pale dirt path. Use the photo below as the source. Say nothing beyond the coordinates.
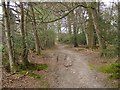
(68, 67)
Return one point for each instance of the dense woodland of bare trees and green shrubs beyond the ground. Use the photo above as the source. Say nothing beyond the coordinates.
(36, 26)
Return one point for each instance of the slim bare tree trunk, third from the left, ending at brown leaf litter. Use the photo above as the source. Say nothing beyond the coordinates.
(37, 47)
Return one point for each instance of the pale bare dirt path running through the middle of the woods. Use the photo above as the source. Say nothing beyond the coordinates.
(70, 69)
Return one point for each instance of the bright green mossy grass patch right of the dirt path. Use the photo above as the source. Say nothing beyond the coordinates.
(112, 69)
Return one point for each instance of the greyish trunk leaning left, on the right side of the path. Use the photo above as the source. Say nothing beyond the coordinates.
(96, 23)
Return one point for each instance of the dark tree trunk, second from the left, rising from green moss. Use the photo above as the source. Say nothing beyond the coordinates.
(24, 48)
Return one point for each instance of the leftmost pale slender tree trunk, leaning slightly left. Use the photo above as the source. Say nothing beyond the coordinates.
(8, 38)
